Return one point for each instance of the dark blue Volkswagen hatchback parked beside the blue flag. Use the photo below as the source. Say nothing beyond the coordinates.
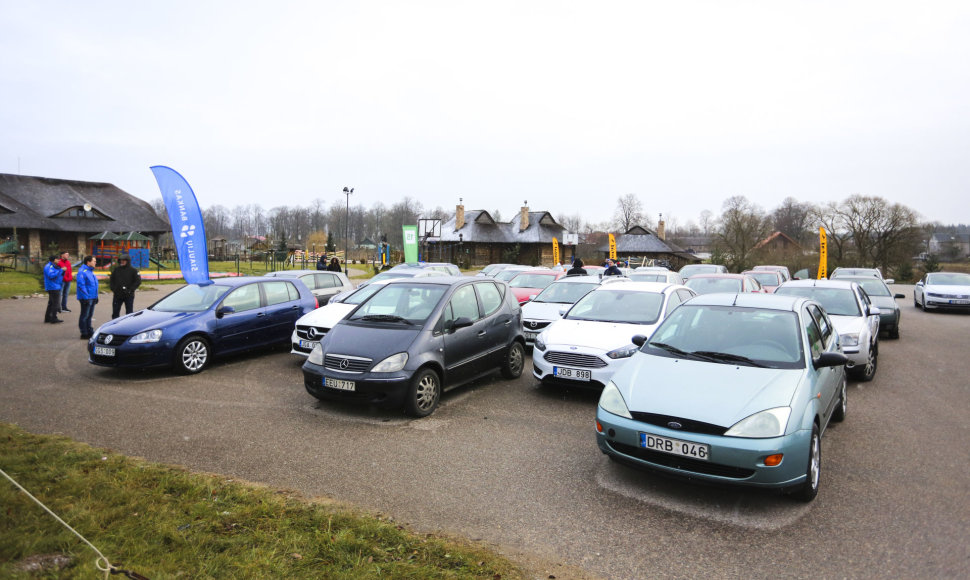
(188, 327)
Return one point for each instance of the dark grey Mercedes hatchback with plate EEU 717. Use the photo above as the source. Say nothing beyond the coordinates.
(415, 338)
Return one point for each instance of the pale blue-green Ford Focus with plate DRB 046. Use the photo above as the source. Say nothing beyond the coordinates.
(733, 389)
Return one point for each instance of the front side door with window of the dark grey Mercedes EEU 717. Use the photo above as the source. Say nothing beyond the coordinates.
(463, 347)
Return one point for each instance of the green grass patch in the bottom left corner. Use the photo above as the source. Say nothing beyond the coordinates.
(165, 522)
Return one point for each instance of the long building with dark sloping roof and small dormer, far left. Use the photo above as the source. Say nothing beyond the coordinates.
(45, 215)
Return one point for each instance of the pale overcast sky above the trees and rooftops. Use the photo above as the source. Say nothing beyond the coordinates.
(568, 105)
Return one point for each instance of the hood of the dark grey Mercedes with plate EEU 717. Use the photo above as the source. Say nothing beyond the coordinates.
(373, 341)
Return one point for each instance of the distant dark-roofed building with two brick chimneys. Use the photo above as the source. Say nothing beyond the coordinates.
(475, 237)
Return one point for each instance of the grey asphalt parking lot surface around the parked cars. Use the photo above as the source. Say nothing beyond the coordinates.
(515, 466)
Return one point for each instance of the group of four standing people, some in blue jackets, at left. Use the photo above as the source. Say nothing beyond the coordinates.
(58, 276)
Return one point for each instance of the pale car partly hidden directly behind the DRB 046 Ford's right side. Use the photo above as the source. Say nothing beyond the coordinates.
(856, 320)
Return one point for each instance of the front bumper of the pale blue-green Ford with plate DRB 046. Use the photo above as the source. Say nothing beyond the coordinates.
(732, 461)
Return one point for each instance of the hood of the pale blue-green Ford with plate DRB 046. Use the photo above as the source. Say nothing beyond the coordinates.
(720, 394)
